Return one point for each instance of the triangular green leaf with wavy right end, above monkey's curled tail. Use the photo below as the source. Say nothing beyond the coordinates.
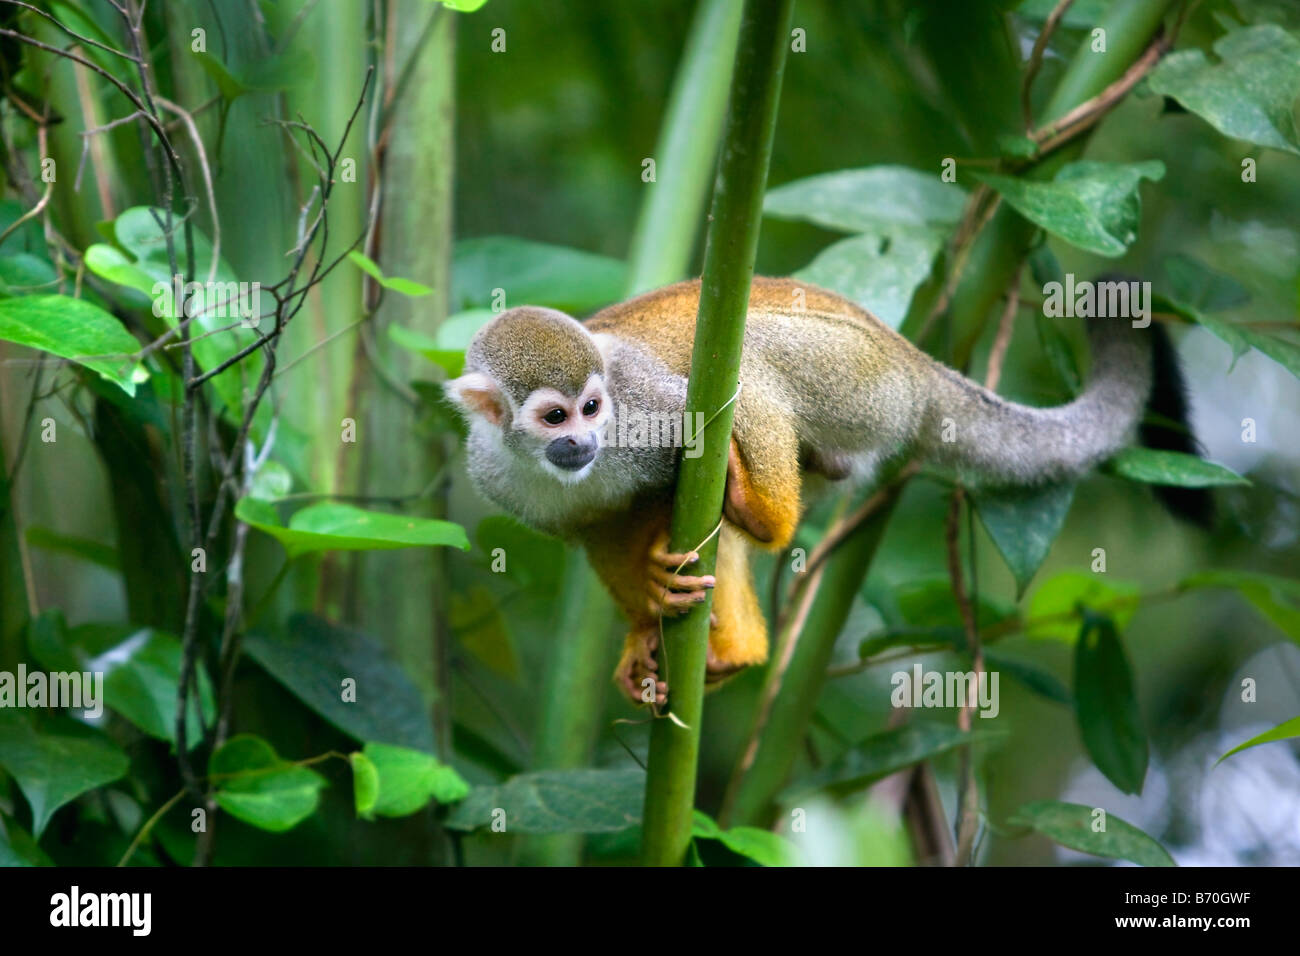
(1090, 205)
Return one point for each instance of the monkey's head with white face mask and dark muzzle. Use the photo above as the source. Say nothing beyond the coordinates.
(536, 379)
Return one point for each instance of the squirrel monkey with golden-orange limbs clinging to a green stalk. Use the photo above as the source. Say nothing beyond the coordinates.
(827, 390)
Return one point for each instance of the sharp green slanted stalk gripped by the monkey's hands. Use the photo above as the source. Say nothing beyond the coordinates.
(714, 375)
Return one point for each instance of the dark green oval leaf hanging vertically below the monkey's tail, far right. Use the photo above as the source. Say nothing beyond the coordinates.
(1107, 706)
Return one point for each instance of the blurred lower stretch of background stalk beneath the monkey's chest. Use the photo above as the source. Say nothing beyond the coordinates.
(574, 695)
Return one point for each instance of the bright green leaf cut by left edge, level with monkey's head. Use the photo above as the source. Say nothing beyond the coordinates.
(75, 330)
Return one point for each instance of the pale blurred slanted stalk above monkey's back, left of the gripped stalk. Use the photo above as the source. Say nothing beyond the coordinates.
(688, 145)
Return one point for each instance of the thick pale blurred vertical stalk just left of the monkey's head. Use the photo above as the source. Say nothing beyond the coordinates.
(405, 595)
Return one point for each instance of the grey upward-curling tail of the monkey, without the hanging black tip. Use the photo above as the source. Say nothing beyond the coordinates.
(985, 440)
